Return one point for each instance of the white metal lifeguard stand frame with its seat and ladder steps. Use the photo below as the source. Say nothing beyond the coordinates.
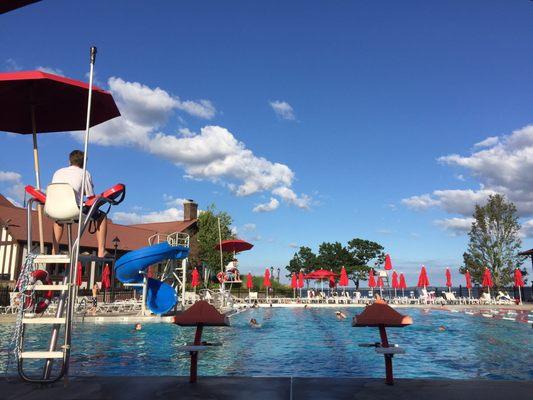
(60, 204)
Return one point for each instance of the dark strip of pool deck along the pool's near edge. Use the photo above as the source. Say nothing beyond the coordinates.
(246, 388)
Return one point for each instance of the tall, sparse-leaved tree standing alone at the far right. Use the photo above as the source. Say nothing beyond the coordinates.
(494, 241)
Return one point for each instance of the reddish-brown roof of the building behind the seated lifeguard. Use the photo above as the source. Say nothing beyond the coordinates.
(131, 236)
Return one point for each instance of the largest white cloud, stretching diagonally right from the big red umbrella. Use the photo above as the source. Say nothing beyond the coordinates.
(212, 154)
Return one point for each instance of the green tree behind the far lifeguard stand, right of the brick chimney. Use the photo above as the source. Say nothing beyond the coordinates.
(208, 237)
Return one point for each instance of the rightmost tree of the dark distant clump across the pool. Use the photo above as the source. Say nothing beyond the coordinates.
(362, 253)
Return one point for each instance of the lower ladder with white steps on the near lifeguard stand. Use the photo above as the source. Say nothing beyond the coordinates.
(61, 322)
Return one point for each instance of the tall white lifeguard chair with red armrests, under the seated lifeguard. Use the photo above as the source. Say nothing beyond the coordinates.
(59, 204)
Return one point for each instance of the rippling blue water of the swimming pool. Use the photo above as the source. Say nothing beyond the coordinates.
(304, 342)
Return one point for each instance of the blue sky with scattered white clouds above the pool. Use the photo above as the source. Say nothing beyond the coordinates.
(307, 121)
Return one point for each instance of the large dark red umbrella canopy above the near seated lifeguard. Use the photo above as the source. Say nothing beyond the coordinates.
(54, 103)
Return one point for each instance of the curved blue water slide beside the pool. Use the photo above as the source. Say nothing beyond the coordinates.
(130, 268)
